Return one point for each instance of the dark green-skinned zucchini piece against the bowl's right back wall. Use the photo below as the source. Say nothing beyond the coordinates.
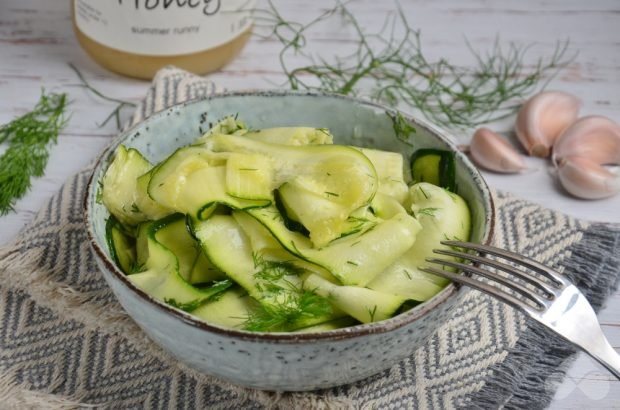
(434, 166)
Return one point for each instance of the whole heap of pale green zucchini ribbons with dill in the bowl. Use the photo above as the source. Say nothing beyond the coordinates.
(316, 236)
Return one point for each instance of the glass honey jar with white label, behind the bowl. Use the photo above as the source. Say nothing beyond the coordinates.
(138, 37)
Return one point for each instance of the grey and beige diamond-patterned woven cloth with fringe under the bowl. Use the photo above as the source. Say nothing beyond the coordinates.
(65, 342)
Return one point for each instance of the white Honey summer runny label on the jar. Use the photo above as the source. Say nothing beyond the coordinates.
(163, 27)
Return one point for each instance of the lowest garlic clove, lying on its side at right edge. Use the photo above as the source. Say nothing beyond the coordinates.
(586, 179)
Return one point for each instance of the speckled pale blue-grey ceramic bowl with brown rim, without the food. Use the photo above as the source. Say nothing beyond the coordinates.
(280, 361)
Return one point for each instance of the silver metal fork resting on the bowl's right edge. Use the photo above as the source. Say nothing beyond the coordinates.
(554, 302)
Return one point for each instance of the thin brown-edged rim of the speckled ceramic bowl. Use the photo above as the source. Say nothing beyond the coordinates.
(382, 326)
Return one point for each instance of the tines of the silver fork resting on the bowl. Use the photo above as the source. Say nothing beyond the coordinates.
(538, 295)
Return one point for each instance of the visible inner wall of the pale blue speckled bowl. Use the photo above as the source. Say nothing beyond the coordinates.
(351, 122)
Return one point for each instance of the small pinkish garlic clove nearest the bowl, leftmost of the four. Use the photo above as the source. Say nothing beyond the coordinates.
(491, 151)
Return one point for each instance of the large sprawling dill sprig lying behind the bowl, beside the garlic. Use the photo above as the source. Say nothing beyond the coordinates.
(391, 67)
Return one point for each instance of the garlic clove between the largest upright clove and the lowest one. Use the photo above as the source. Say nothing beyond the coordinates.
(594, 137)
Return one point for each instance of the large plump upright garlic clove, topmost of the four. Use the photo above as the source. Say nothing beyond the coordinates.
(543, 118)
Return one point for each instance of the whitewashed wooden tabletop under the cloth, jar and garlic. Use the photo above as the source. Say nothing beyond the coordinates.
(37, 42)
